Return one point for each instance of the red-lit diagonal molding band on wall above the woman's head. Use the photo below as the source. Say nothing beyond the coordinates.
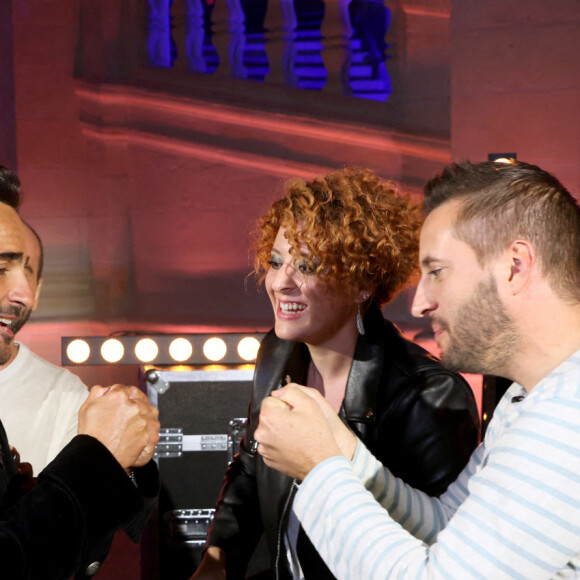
(277, 144)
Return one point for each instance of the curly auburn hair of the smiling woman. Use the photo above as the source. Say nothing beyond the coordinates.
(361, 233)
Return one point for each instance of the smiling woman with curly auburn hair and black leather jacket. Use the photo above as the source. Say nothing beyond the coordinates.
(331, 252)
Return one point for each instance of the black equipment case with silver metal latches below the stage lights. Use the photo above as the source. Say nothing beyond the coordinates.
(202, 414)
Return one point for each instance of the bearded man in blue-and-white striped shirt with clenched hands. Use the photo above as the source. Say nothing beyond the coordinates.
(500, 261)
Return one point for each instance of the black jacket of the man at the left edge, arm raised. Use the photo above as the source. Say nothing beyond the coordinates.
(66, 523)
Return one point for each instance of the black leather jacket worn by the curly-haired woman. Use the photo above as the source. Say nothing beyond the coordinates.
(417, 418)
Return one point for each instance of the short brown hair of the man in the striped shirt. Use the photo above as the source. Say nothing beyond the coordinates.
(501, 202)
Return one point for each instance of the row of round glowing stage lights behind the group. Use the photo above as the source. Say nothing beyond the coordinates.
(161, 349)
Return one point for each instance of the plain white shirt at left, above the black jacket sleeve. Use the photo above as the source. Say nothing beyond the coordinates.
(39, 404)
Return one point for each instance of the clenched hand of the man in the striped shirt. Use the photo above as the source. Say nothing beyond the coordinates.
(298, 429)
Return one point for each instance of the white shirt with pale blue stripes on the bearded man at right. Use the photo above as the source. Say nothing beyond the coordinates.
(514, 511)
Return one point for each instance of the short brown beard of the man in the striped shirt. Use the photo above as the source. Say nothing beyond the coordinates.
(484, 337)
